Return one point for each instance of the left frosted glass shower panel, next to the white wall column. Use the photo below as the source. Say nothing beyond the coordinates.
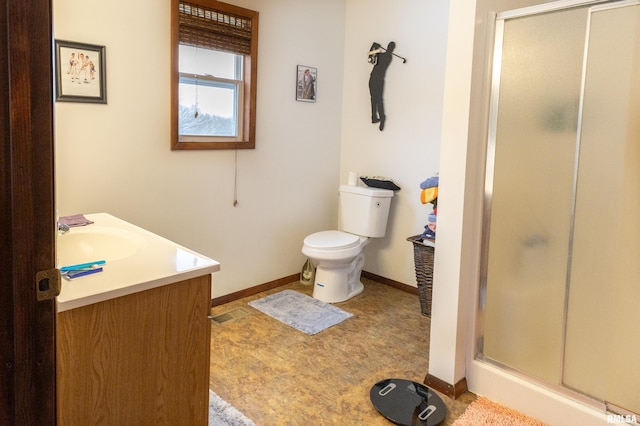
(531, 195)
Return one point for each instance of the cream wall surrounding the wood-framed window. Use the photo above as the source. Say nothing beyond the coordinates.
(115, 158)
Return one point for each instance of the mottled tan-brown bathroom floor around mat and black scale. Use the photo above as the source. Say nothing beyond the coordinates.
(277, 375)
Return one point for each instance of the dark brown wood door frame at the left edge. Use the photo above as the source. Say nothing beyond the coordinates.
(27, 235)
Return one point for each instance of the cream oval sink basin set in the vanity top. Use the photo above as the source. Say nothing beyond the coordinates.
(81, 245)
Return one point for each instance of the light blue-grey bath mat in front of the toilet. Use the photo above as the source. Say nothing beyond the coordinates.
(300, 311)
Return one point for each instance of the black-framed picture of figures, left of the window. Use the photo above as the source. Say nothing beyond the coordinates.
(80, 72)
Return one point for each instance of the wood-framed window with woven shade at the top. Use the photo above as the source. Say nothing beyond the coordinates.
(214, 68)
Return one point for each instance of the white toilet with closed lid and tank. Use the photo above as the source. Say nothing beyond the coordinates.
(339, 255)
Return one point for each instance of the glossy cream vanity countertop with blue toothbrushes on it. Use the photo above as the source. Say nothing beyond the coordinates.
(136, 260)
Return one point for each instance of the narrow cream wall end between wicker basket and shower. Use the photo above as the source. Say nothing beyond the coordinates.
(452, 291)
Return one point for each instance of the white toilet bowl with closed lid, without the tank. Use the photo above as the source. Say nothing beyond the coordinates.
(339, 258)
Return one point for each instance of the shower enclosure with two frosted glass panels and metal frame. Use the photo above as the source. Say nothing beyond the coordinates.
(560, 276)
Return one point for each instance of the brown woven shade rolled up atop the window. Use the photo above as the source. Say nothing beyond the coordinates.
(212, 29)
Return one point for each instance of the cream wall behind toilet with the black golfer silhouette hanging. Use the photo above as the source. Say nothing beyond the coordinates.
(408, 148)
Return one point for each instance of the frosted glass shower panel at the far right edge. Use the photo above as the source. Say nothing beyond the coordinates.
(602, 344)
